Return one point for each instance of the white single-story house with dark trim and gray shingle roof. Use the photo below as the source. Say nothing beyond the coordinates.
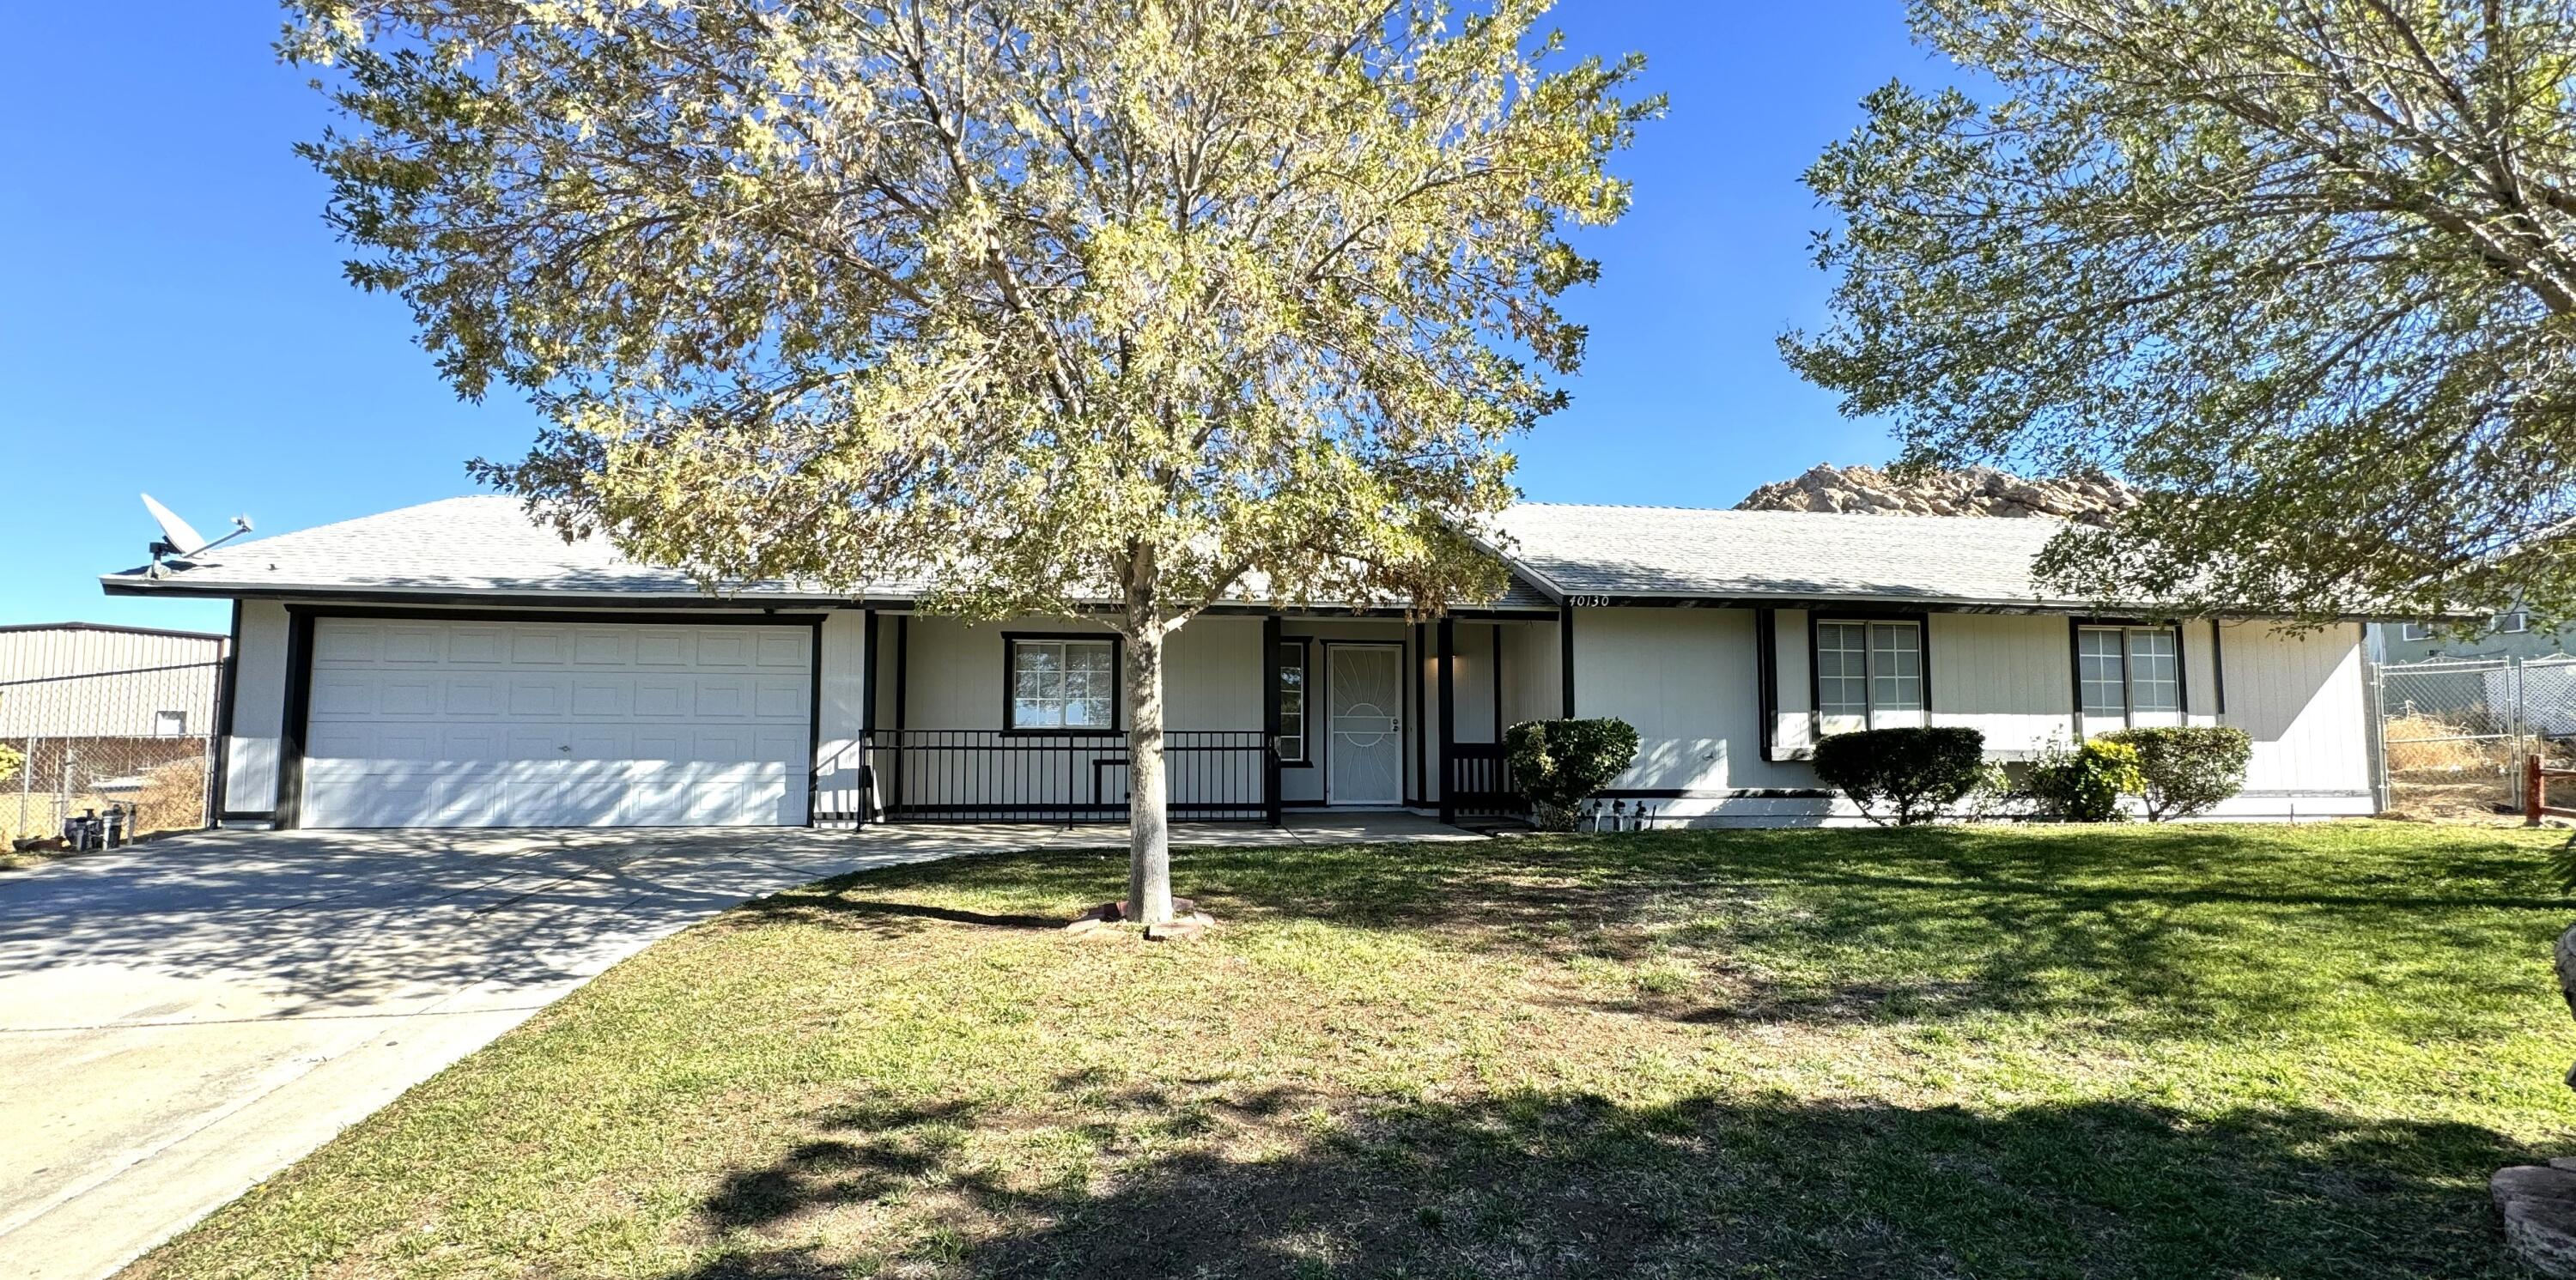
(460, 666)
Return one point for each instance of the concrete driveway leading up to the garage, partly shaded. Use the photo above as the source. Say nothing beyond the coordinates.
(187, 1019)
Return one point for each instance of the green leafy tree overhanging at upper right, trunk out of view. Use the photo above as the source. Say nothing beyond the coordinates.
(2304, 269)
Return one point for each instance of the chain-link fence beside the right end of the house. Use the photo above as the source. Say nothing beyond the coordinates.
(2454, 733)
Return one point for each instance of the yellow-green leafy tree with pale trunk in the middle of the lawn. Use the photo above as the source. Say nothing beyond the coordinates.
(1052, 305)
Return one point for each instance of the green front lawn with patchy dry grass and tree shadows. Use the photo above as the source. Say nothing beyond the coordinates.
(1771, 1055)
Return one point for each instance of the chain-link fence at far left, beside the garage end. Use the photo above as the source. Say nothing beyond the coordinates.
(140, 740)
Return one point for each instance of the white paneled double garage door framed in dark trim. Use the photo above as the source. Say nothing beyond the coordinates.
(558, 725)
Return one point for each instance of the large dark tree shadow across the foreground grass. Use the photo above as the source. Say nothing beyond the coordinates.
(1712, 1186)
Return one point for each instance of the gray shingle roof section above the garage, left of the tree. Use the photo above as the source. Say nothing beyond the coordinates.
(480, 545)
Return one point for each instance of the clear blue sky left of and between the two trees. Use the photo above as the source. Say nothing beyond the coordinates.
(174, 315)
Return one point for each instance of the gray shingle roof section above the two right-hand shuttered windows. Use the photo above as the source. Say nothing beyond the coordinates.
(1779, 555)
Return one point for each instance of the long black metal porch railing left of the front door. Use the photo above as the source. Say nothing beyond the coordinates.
(1003, 776)
